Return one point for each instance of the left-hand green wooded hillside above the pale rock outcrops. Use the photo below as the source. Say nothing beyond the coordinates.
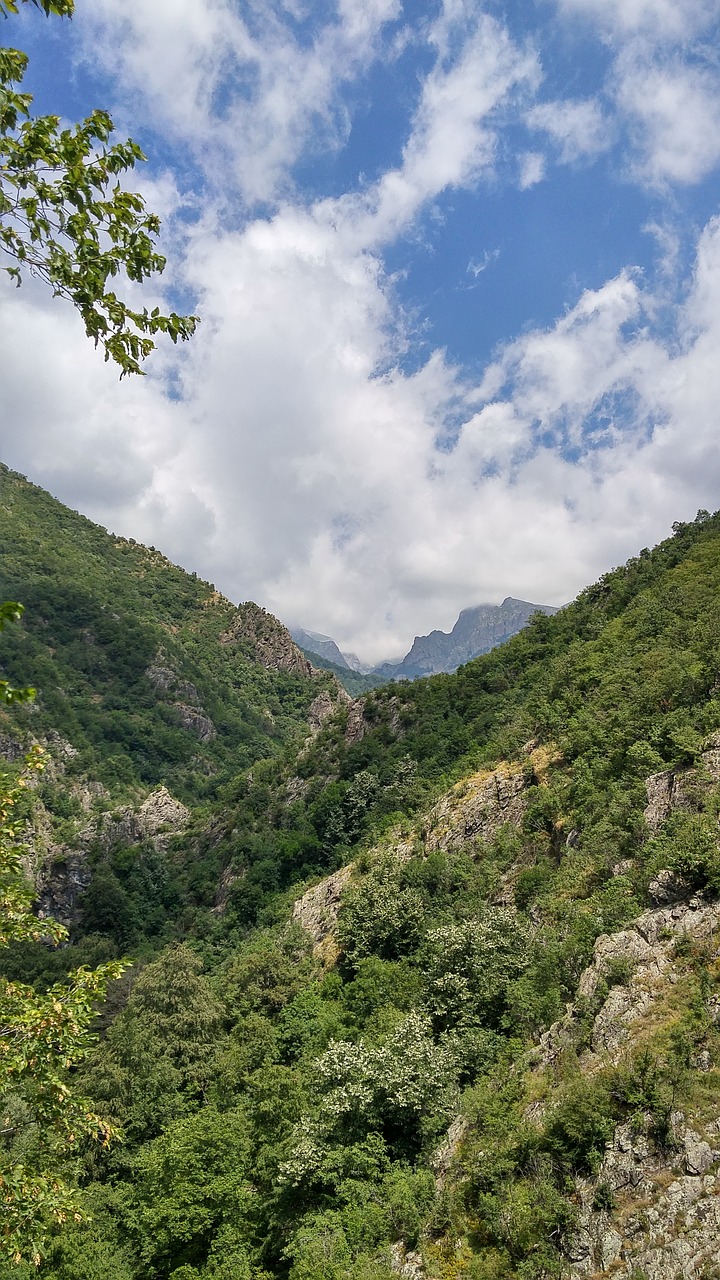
(102, 615)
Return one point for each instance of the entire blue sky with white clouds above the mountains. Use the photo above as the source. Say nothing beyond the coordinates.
(458, 269)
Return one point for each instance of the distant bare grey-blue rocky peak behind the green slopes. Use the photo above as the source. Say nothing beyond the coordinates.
(479, 630)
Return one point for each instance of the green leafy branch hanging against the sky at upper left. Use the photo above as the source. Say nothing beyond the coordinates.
(67, 220)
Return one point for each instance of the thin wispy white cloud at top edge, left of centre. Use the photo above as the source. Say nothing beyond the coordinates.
(244, 93)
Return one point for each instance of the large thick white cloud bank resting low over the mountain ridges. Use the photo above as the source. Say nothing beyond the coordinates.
(295, 476)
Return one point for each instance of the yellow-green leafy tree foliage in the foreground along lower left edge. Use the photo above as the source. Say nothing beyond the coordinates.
(43, 1037)
